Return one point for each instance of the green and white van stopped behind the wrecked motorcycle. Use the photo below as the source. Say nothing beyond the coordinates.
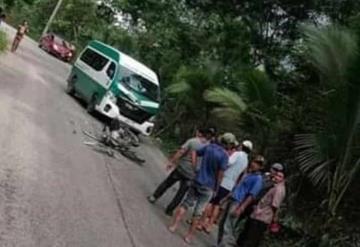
(116, 85)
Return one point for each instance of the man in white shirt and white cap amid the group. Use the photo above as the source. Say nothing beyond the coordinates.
(238, 162)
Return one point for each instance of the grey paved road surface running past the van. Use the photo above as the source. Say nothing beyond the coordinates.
(54, 190)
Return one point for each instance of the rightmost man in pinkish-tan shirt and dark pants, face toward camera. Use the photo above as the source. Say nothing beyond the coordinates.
(265, 213)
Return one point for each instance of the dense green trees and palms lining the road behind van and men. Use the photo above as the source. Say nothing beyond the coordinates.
(283, 74)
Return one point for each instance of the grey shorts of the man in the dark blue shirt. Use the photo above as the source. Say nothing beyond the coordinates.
(198, 197)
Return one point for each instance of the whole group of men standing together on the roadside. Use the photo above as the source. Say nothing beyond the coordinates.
(224, 183)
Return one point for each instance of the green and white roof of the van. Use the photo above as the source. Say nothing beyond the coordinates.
(125, 60)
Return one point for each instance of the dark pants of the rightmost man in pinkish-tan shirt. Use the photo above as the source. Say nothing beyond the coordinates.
(253, 233)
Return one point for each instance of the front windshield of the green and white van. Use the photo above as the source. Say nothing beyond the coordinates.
(140, 84)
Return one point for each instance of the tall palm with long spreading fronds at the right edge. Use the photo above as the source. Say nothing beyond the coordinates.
(329, 155)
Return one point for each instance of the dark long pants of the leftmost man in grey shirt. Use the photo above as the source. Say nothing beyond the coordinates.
(174, 176)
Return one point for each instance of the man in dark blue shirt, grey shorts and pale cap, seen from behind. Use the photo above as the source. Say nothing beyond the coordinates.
(207, 181)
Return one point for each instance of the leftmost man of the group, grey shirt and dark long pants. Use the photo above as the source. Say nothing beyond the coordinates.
(183, 164)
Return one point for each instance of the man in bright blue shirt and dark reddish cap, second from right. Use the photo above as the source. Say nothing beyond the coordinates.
(242, 196)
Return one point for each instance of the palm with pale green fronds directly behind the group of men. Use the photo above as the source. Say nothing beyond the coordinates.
(250, 106)
